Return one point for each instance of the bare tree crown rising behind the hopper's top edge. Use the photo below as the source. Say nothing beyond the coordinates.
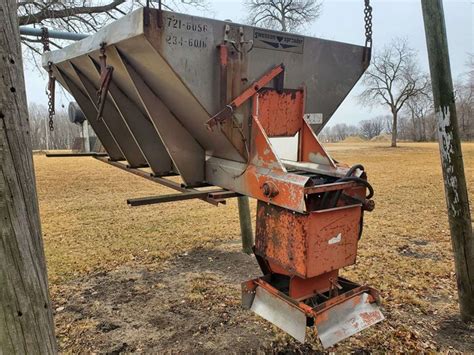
(283, 15)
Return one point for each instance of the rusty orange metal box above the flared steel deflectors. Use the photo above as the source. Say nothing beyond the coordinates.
(308, 245)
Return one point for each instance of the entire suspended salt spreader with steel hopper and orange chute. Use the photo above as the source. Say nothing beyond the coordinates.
(176, 94)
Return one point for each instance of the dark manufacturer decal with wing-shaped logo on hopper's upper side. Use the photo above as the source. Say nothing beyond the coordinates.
(278, 41)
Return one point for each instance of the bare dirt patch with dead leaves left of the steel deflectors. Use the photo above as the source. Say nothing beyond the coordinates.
(192, 305)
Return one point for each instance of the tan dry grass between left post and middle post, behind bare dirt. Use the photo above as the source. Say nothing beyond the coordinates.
(88, 226)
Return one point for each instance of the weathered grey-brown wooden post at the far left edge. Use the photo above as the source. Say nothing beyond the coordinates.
(26, 321)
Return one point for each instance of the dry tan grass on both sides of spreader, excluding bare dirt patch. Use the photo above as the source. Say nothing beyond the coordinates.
(405, 251)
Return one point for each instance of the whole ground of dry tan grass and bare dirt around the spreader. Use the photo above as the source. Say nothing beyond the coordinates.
(167, 277)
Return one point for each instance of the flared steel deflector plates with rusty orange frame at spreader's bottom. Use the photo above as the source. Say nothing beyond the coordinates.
(335, 320)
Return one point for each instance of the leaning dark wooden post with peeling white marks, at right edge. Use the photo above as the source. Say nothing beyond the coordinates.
(451, 155)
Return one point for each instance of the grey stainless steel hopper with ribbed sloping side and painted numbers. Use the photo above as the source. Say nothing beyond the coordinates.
(166, 84)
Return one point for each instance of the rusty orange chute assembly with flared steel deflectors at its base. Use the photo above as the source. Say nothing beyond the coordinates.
(301, 254)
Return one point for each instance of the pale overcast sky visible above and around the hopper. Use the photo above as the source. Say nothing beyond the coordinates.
(342, 20)
